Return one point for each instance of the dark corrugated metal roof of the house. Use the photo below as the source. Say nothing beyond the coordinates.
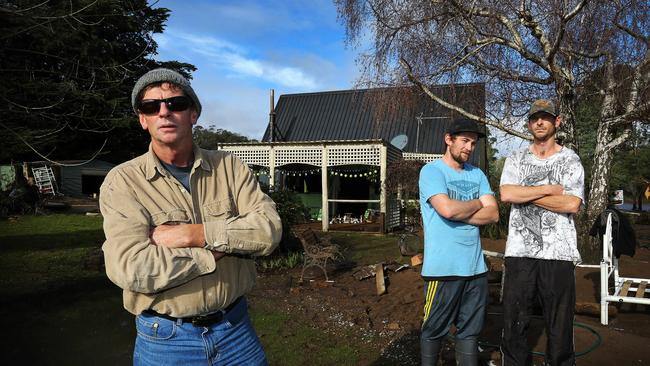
(382, 113)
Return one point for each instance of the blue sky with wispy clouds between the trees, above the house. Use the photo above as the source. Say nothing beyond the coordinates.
(242, 49)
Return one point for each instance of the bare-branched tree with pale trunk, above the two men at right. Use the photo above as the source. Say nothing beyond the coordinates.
(568, 50)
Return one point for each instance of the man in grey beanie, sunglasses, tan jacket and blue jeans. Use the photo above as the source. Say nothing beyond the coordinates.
(182, 225)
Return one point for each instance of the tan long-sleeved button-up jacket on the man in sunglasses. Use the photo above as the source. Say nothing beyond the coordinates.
(225, 197)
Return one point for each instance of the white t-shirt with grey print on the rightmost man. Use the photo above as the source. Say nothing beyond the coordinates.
(533, 231)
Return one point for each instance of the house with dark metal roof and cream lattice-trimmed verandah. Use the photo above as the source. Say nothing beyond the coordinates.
(334, 147)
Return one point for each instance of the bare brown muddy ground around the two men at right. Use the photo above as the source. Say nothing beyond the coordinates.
(391, 321)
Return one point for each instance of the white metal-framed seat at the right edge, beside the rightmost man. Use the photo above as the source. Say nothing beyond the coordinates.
(622, 285)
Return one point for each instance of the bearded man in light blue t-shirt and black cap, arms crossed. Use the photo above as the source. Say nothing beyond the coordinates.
(455, 198)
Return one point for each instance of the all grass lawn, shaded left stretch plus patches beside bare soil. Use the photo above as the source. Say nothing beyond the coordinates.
(55, 300)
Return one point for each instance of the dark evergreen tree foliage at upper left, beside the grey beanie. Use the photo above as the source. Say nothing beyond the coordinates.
(68, 68)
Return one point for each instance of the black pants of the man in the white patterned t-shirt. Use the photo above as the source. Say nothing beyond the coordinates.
(552, 283)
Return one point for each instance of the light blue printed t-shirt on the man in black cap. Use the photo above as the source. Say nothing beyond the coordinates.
(451, 248)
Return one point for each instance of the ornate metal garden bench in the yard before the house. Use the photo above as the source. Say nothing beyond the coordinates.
(317, 251)
